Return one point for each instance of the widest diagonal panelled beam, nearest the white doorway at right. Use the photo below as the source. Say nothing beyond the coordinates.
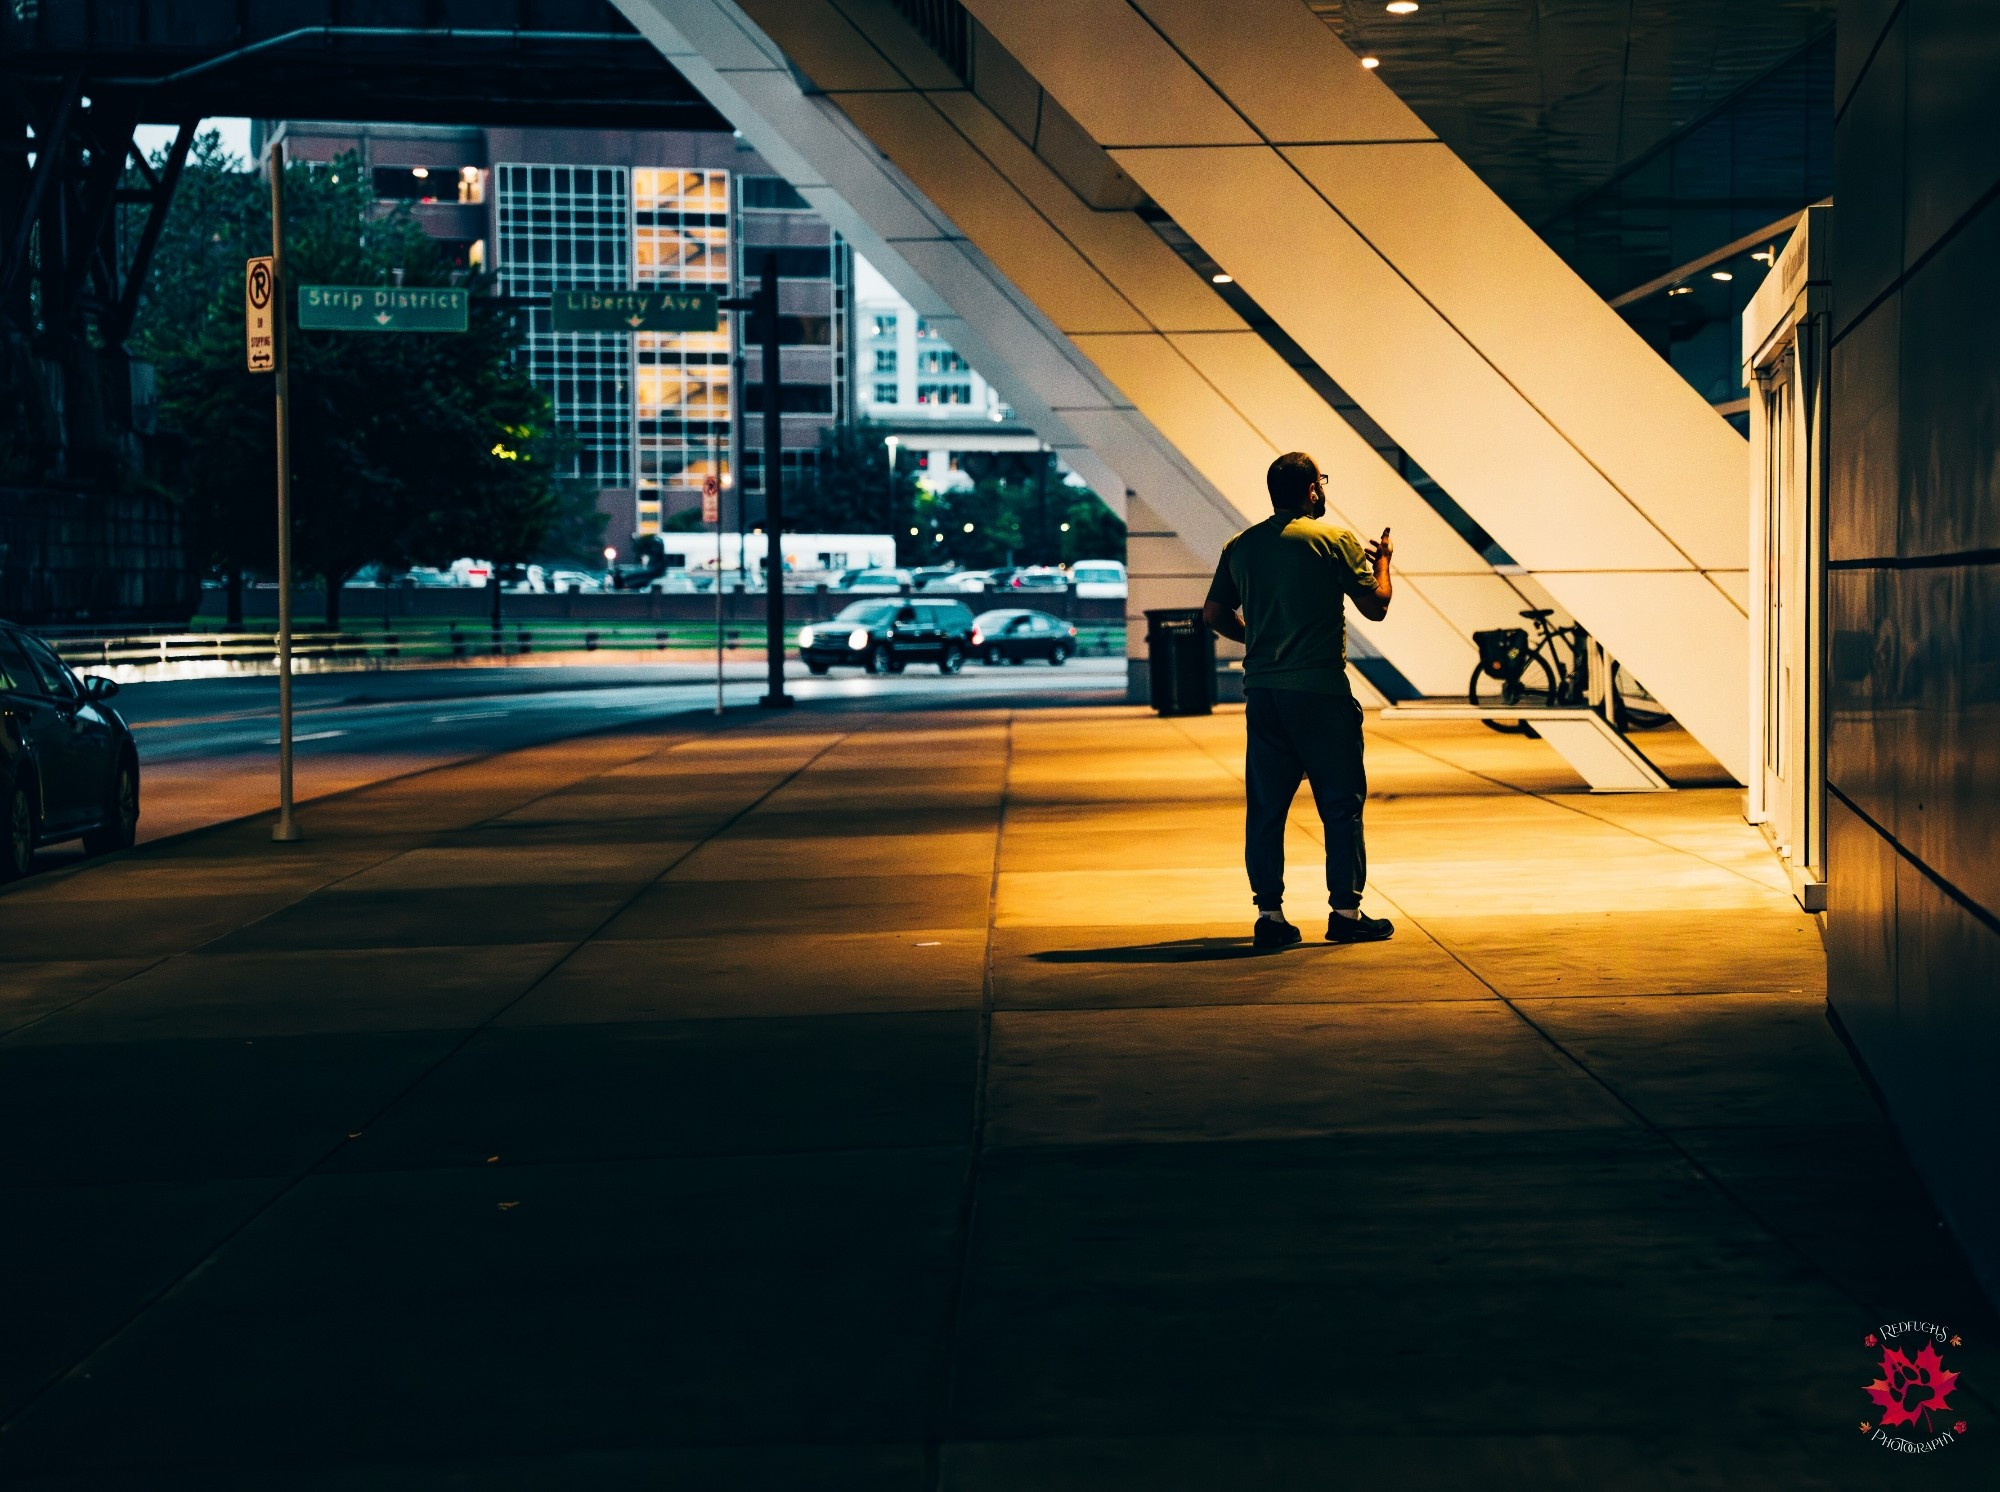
(1437, 309)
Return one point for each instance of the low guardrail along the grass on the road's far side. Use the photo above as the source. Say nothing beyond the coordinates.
(195, 655)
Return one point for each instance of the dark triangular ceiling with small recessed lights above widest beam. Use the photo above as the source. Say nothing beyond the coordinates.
(1551, 99)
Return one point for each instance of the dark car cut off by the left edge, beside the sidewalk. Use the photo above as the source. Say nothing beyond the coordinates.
(69, 767)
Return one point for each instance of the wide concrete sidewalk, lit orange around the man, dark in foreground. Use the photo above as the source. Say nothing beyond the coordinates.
(893, 1103)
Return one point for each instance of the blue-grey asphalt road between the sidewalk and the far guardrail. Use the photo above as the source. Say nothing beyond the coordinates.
(209, 749)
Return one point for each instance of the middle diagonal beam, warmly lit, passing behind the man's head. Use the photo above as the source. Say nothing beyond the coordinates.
(1153, 327)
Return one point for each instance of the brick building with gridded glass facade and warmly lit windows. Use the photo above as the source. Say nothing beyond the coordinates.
(551, 211)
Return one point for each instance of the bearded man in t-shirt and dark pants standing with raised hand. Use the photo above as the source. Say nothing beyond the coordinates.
(1279, 591)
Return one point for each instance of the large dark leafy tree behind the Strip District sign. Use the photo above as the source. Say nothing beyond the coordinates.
(405, 447)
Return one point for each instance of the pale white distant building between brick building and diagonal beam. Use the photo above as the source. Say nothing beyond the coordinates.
(919, 389)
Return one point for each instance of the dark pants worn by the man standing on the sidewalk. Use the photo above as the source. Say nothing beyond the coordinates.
(1317, 737)
